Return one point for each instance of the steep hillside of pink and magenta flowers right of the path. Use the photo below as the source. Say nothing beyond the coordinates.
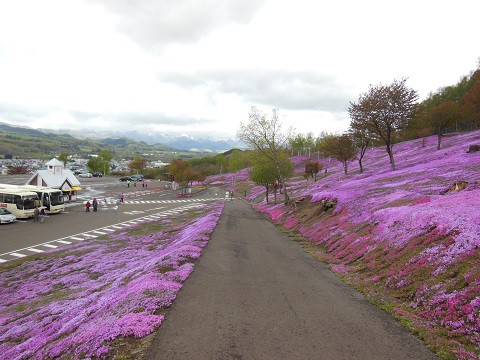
(402, 237)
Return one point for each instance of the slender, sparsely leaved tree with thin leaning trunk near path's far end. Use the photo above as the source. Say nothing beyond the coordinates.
(266, 135)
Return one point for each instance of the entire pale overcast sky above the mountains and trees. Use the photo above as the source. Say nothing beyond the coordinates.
(197, 67)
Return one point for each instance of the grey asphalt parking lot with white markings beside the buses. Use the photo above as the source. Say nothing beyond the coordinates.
(25, 237)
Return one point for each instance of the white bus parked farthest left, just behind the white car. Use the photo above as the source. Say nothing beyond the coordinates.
(19, 202)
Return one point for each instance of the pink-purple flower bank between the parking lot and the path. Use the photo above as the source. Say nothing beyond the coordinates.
(75, 304)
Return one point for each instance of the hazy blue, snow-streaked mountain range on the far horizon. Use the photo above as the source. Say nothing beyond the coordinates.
(178, 141)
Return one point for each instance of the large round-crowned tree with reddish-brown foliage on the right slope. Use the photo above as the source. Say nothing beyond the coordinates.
(385, 111)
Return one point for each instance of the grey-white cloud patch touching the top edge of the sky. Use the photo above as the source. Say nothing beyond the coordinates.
(157, 23)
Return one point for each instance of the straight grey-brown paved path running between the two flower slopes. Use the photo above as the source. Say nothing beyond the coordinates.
(256, 295)
